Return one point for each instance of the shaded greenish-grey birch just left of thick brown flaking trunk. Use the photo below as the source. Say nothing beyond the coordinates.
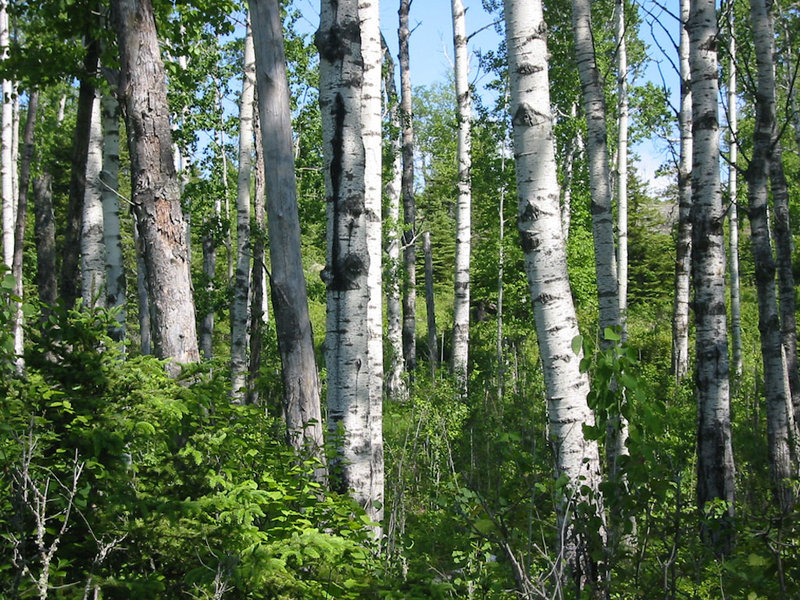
(112, 235)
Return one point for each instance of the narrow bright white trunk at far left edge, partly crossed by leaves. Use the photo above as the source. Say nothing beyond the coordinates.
(6, 146)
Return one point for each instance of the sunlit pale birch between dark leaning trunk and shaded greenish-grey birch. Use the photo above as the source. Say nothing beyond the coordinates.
(93, 260)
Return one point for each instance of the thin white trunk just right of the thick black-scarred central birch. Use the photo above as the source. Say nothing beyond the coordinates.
(395, 385)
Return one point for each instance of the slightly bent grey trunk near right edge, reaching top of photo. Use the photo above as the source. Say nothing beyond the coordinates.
(778, 411)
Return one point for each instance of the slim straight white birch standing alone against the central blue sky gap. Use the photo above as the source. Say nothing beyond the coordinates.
(464, 202)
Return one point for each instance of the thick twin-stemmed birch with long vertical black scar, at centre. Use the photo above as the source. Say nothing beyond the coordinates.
(349, 44)
